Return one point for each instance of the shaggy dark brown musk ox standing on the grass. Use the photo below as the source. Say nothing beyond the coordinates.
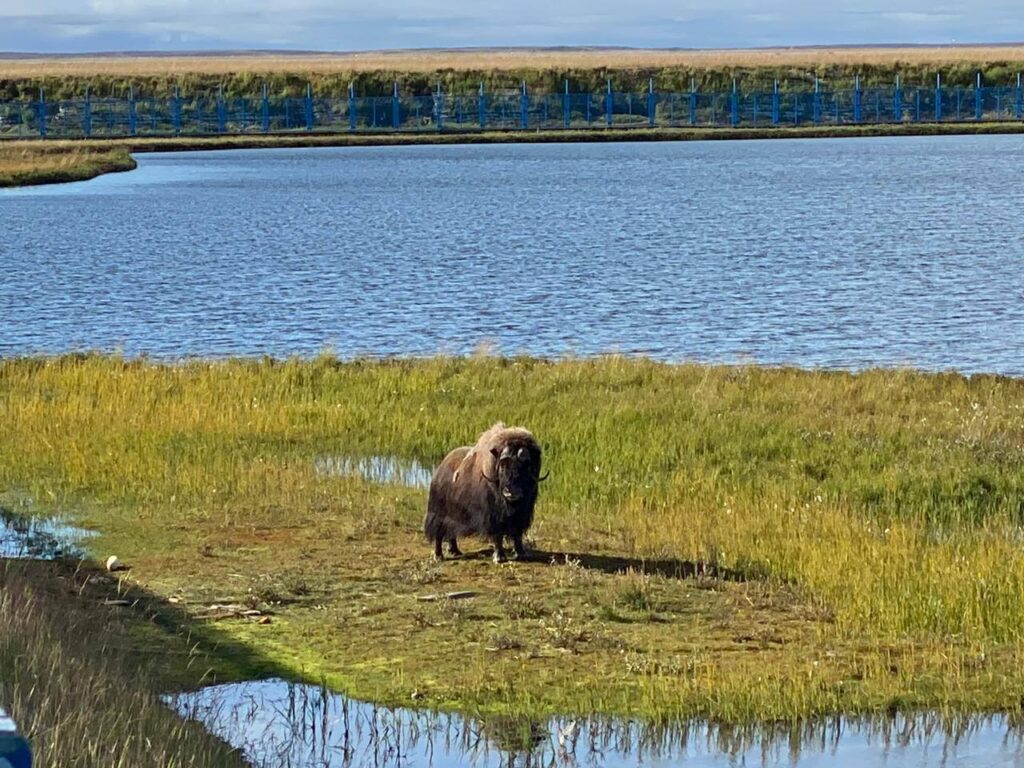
(488, 490)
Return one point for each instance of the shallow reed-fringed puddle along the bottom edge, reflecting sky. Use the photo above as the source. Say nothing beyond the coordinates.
(276, 723)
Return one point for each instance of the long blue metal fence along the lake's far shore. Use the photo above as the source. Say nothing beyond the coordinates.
(507, 111)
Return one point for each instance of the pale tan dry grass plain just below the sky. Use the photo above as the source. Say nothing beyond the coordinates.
(501, 60)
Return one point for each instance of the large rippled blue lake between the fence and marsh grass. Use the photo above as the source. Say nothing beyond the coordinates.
(820, 253)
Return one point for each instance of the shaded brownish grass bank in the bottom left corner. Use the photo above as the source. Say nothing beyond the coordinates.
(77, 690)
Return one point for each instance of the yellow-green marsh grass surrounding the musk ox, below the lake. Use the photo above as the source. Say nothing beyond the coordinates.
(737, 543)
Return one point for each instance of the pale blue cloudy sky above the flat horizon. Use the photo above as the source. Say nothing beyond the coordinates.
(79, 26)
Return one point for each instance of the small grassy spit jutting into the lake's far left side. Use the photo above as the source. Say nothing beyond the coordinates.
(23, 164)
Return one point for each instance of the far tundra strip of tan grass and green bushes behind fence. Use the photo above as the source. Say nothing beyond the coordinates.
(463, 71)
